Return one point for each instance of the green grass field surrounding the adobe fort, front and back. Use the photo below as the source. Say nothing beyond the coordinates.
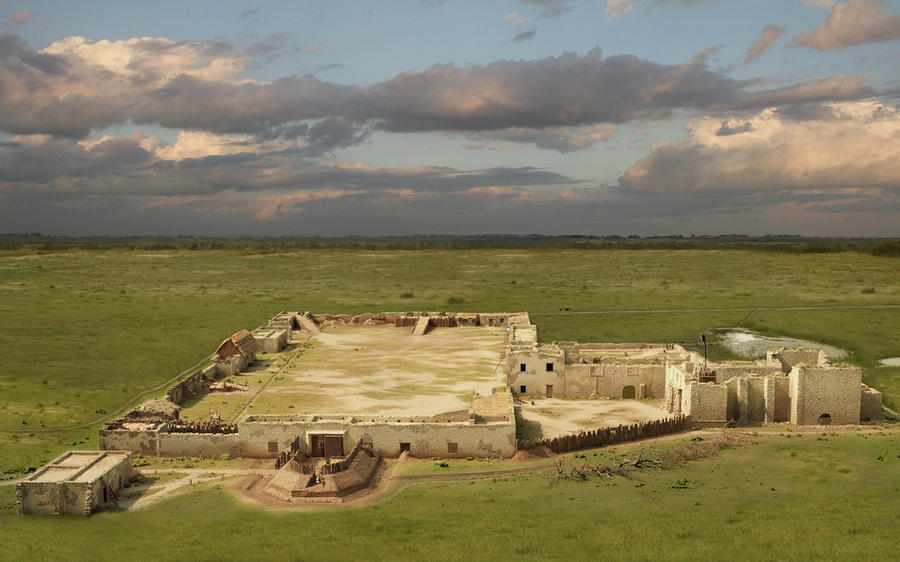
(84, 332)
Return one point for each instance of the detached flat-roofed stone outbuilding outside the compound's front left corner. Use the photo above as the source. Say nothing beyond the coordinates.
(76, 483)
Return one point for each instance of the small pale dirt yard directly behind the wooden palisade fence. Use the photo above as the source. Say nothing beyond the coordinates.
(550, 417)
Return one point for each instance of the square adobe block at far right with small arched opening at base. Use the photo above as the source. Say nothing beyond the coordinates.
(825, 390)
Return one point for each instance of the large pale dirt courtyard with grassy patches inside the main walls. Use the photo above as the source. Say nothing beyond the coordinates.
(383, 370)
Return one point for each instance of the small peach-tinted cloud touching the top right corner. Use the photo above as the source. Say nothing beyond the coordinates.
(854, 23)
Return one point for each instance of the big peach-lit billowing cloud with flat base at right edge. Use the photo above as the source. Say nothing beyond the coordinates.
(859, 148)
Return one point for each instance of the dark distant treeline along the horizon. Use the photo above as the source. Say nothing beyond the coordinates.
(36, 242)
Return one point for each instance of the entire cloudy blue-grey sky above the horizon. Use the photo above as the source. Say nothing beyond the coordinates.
(328, 117)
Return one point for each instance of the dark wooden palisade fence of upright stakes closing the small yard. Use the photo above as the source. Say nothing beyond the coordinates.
(610, 435)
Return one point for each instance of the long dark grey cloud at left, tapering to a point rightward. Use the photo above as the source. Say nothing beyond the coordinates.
(121, 166)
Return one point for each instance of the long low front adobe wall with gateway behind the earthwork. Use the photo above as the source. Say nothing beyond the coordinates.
(425, 439)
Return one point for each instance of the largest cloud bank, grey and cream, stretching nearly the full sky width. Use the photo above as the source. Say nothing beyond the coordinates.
(75, 86)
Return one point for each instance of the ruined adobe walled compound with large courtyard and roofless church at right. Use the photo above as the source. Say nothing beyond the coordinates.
(492, 359)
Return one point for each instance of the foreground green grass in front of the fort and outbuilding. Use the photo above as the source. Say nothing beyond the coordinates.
(819, 496)
